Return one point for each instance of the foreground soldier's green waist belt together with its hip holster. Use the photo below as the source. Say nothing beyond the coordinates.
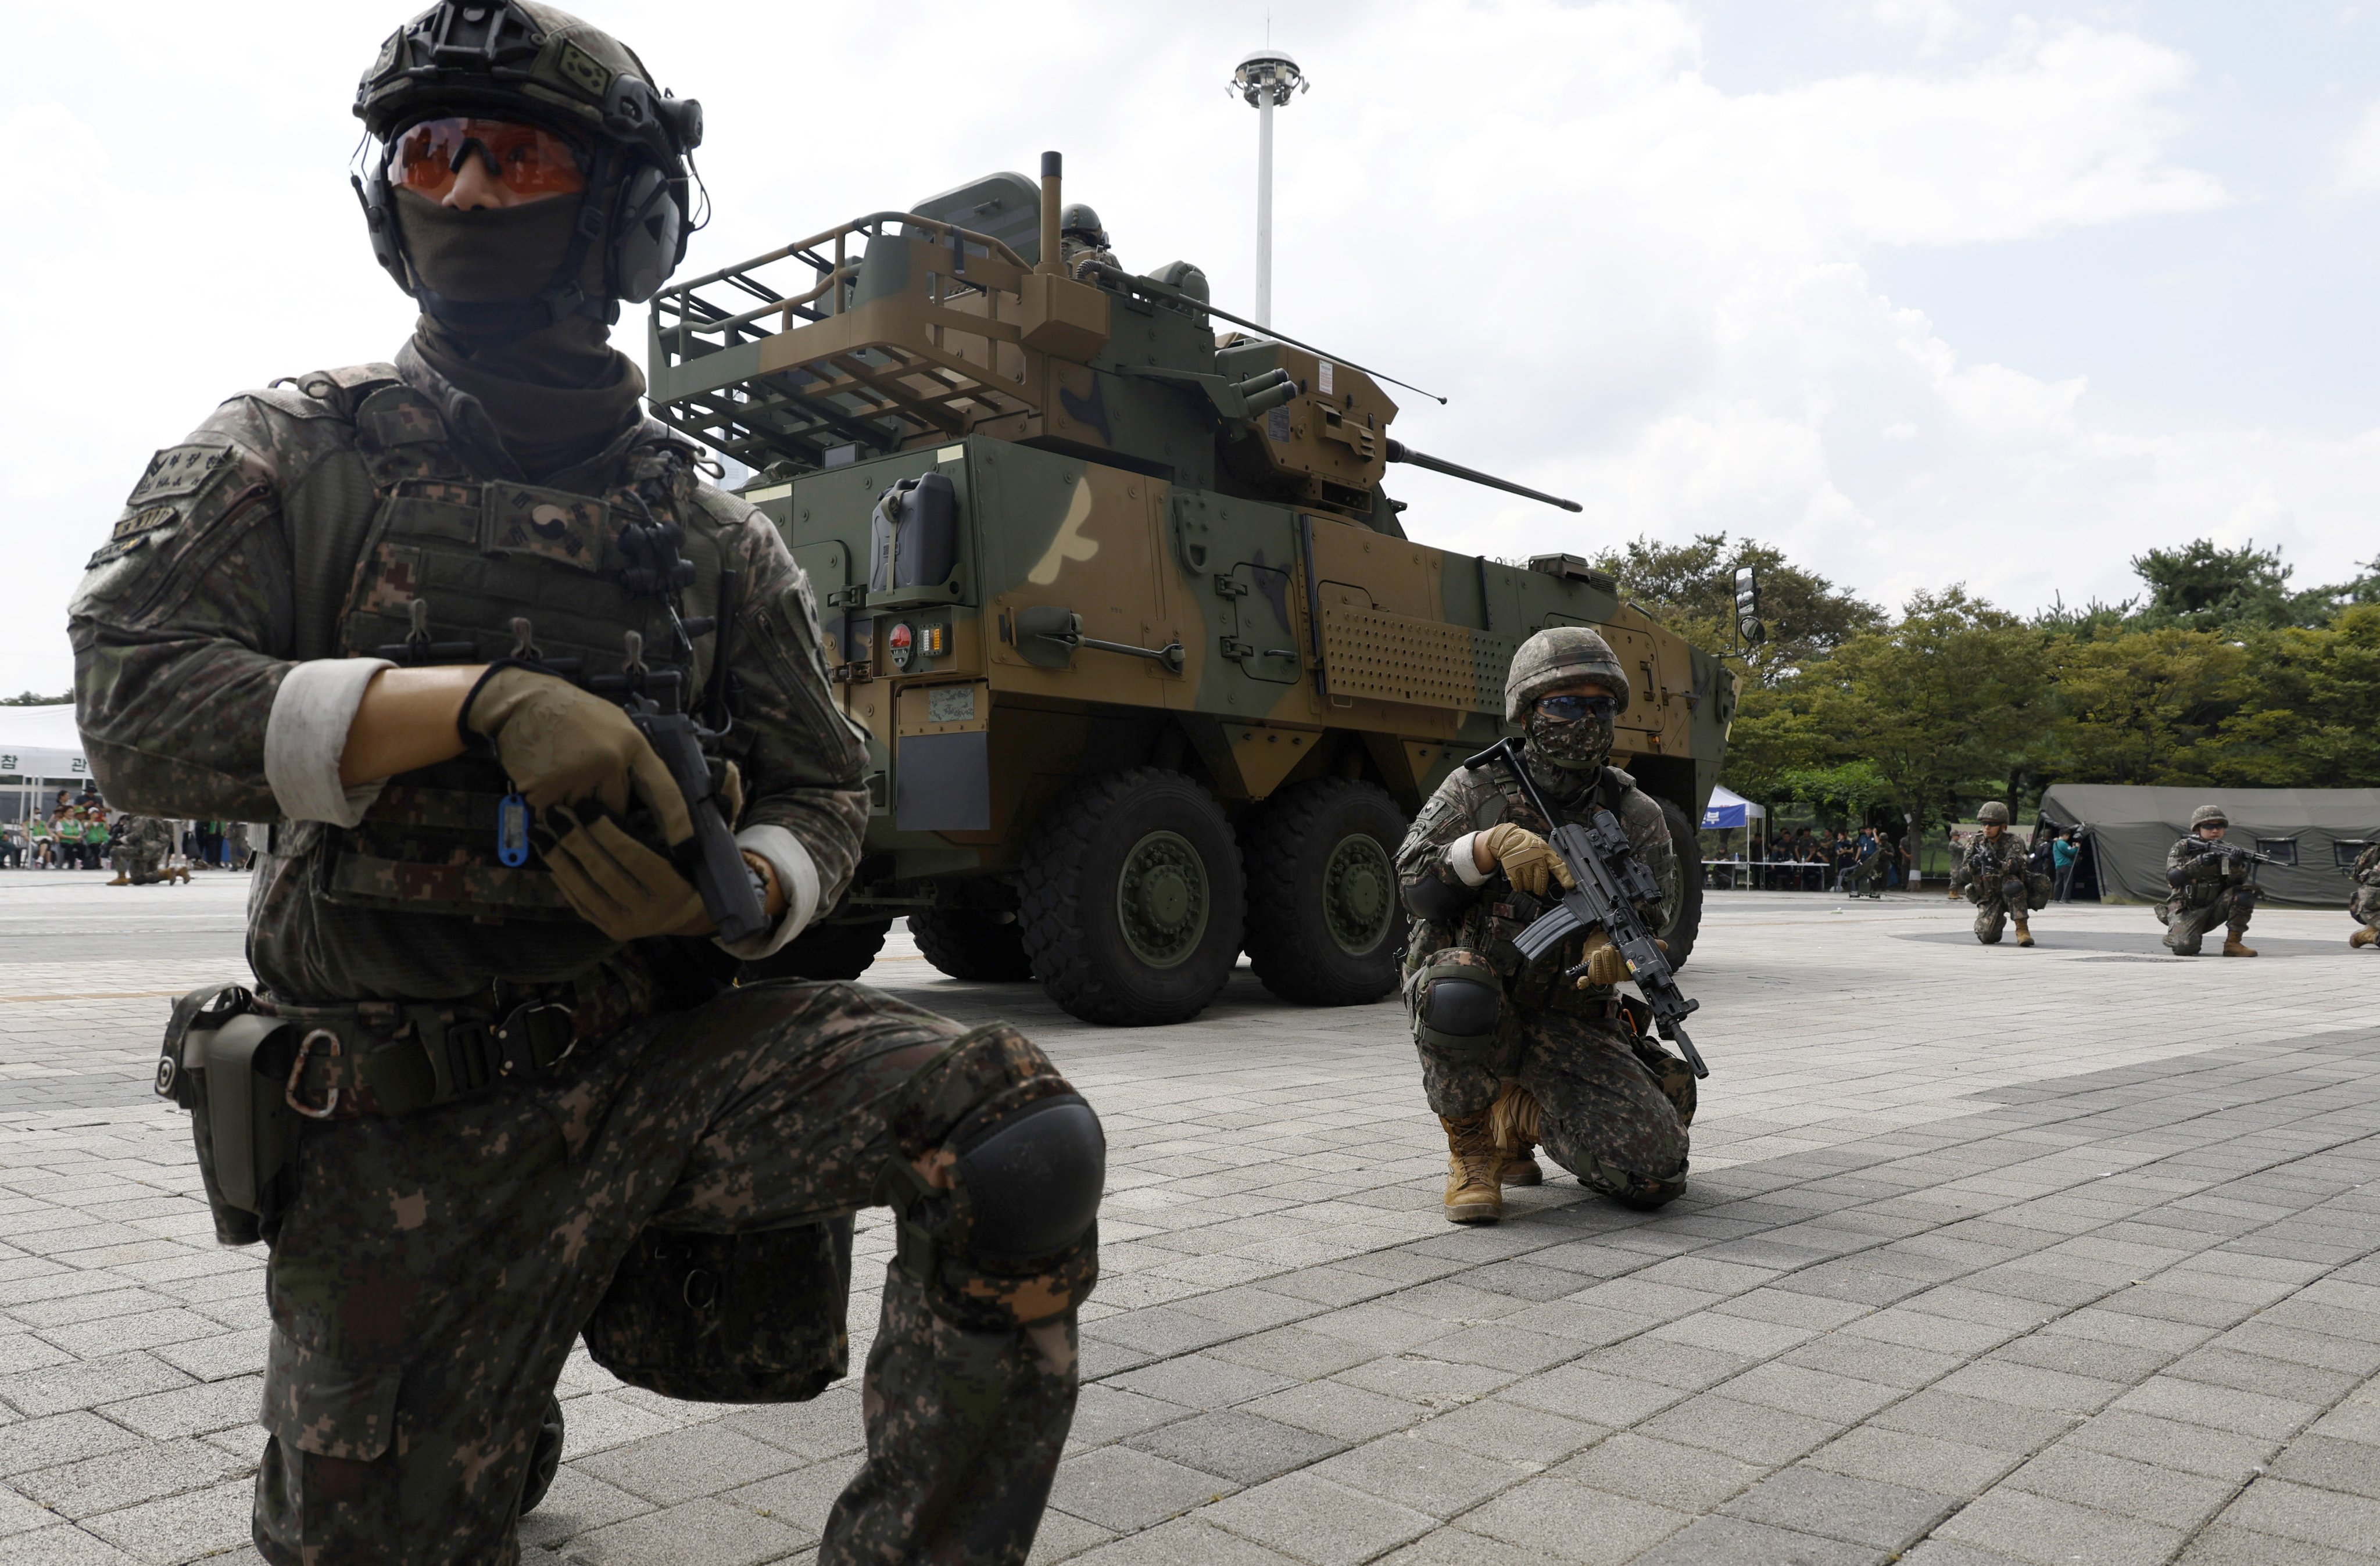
(251, 1070)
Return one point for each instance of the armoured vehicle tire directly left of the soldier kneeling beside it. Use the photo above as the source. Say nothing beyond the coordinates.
(1322, 891)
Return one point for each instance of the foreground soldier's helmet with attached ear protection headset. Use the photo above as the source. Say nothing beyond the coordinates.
(534, 63)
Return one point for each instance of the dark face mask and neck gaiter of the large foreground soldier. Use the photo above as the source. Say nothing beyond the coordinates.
(556, 396)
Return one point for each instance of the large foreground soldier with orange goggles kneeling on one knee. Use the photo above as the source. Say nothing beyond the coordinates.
(515, 1070)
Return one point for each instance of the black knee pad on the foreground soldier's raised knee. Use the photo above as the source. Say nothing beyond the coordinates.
(998, 1184)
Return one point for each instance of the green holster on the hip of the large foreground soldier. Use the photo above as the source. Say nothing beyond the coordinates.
(230, 1067)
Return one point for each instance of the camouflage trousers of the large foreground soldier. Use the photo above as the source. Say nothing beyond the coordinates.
(432, 1272)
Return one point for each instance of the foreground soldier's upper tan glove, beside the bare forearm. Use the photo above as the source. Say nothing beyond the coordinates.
(563, 746)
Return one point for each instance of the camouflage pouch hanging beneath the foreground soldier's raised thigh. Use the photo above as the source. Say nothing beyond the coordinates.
(746, 1317)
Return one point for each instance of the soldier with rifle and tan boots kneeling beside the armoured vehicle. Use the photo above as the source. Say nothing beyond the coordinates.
(1515, 1053)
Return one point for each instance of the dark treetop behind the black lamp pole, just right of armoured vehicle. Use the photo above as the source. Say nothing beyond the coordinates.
(1693, 591)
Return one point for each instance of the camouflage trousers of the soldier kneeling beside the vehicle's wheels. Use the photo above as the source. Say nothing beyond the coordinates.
(1605, 1113)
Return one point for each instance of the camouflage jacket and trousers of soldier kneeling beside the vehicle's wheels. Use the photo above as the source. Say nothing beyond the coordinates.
(1615, 1108)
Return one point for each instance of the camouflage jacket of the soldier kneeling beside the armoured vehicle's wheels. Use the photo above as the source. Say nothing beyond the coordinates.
(1489, 915)
